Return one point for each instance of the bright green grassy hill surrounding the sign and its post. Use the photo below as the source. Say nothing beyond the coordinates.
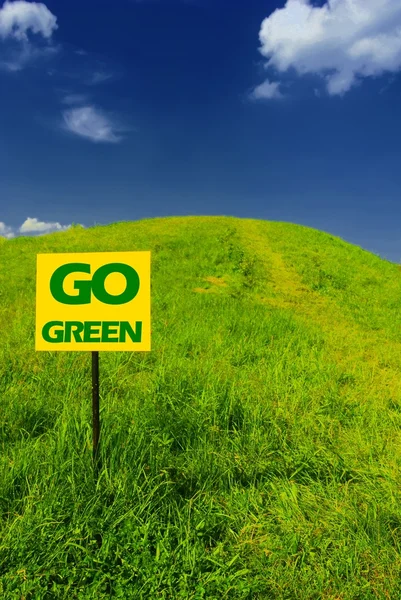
(253, 453)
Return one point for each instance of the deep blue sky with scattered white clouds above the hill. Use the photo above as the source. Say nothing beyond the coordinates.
(121, 110)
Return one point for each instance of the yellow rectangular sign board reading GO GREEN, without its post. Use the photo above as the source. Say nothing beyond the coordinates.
(93, 301)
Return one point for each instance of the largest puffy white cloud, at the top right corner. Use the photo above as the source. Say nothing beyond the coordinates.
(343, 40)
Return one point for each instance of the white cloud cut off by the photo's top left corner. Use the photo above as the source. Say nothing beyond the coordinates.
(19, 16)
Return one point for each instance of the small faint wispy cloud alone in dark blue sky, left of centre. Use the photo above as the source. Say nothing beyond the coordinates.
(89, 122)
